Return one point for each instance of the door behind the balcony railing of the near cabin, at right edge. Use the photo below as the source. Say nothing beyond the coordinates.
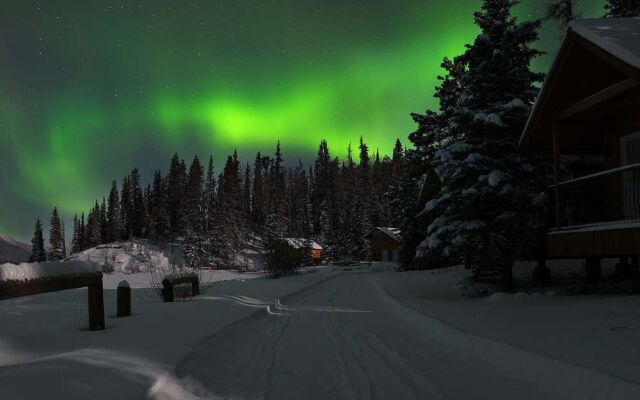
(630, 154)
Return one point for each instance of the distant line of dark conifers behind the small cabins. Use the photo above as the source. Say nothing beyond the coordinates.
(334, 201)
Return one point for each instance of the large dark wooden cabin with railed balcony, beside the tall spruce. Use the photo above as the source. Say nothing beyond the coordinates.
(589, 108)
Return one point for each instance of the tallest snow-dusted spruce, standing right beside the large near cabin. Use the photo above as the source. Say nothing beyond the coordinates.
(489, 206)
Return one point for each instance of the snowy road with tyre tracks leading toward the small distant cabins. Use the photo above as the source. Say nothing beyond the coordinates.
(347, 338)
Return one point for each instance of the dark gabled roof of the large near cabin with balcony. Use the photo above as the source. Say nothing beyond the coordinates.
(595, 54)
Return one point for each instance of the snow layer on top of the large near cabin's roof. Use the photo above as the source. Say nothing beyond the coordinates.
(618, 36)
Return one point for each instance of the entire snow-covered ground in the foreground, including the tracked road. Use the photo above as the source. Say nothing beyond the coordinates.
(330, 333)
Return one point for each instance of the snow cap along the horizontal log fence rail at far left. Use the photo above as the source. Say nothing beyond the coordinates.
(30, 271)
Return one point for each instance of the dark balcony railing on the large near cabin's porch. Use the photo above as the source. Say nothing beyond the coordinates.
(610, 196)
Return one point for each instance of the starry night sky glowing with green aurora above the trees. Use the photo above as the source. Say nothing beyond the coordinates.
(90, 89)
